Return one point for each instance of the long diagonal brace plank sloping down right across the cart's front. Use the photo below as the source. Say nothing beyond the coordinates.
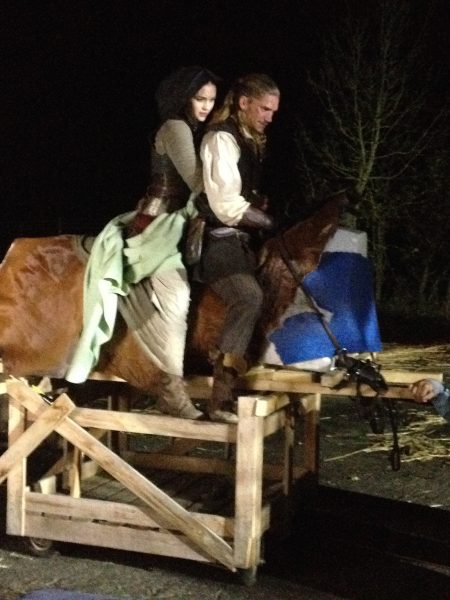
(166, 510)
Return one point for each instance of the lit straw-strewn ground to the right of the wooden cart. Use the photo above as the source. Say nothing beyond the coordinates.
(355, 459)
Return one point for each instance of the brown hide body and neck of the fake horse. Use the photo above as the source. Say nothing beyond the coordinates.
(41, 304)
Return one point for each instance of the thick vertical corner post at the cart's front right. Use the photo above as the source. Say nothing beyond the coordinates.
(248, 503)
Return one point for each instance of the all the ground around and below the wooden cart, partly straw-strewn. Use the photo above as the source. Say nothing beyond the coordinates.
(349, 541)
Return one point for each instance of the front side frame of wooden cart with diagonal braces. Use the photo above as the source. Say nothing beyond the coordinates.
(164, 526)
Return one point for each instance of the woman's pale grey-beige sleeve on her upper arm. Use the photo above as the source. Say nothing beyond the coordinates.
(175, 139)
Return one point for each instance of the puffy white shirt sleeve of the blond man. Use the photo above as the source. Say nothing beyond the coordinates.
(220, 154)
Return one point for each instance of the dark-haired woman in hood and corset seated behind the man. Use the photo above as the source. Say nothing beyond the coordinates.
(184, 100)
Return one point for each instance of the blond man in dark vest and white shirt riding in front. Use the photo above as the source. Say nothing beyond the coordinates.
(234, 209)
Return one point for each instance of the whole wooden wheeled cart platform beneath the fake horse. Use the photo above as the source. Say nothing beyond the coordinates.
(161, 485)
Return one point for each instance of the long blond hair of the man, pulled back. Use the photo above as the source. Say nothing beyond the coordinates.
(254, 85)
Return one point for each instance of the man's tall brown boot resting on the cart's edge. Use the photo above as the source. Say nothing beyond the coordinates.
(227, 368)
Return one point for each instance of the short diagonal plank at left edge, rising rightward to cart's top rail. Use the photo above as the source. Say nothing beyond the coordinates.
(34, 435)
